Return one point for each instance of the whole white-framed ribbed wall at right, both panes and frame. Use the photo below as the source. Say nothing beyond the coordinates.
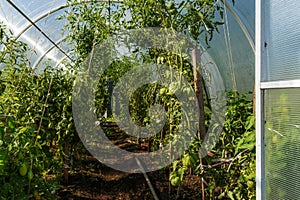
(278, 120)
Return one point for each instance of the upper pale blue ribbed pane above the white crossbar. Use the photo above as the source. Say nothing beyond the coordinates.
(283, 44)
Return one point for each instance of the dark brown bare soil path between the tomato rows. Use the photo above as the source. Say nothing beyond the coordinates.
(93, 180)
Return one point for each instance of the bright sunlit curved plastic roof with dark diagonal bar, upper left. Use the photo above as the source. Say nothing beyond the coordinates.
(44, 14)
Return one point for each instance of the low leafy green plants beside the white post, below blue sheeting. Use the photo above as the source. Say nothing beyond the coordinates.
(228, 170)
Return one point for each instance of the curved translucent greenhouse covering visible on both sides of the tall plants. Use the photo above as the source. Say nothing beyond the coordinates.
(232, 50)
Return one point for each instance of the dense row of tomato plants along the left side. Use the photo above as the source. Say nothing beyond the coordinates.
(36, 122)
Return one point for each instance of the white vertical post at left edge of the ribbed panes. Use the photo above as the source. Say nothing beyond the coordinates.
(259, 40)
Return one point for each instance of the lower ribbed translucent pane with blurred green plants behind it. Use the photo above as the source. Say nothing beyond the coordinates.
(282, 139)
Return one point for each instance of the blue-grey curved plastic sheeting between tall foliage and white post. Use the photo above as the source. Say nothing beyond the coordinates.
(232, 49)
